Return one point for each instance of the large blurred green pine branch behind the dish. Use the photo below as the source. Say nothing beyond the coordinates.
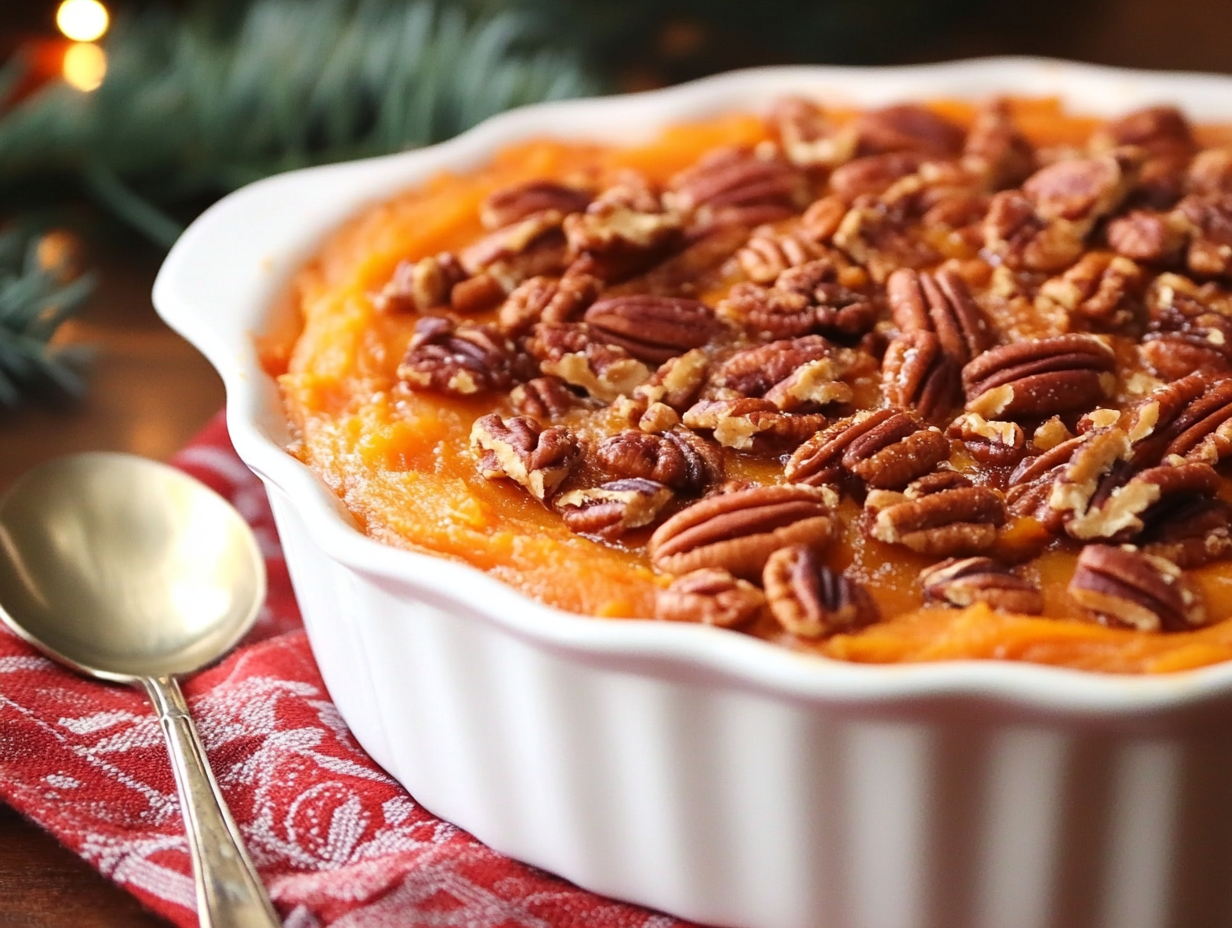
(199, 104)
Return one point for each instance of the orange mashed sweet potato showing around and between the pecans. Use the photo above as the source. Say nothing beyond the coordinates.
(402, 459)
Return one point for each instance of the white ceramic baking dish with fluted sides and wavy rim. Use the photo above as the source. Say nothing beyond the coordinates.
(697, 771)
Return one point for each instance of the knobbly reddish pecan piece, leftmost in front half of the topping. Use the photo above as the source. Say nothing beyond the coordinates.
(525, 453)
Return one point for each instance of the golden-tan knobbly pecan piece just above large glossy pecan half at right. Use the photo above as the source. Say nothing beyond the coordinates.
(1102, 290)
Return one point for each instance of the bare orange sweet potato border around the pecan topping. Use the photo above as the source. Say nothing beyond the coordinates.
(400, 460)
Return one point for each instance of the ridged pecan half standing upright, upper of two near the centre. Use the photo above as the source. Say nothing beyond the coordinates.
(941, 304)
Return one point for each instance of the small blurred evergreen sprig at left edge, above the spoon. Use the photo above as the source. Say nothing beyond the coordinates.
(35, 301)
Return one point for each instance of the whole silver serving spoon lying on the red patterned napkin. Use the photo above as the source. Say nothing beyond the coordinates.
(134, 572)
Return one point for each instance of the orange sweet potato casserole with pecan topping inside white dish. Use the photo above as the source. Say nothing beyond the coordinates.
(909, 384)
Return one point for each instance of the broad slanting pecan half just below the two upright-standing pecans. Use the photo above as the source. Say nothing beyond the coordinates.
(885, 448)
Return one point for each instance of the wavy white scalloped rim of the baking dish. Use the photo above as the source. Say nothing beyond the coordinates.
(254, 411)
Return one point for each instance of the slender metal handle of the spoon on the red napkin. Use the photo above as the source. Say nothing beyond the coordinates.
(230, 893)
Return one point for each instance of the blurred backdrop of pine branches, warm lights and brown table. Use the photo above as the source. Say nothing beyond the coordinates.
(121, 120)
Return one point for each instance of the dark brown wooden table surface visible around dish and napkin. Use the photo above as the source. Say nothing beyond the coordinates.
(151, 393)
